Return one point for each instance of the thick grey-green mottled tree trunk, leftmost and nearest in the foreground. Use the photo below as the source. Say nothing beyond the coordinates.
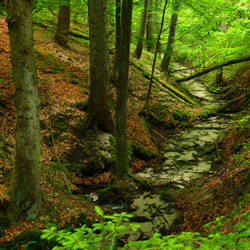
(25, 189)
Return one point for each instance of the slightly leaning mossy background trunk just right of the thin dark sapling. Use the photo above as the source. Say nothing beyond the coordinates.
(171, 37)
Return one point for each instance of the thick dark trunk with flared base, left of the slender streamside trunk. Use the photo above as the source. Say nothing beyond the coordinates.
(98, 108)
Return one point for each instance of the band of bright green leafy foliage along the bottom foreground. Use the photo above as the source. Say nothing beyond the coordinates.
(104, 234)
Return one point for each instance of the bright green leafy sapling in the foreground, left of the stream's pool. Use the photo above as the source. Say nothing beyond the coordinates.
(102, 235)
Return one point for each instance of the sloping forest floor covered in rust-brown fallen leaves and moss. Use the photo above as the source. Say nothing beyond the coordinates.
(63, 82)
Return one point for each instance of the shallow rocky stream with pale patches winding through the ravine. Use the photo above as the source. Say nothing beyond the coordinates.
(186, 158)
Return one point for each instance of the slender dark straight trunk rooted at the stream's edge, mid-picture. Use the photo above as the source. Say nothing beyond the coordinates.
(122, 164)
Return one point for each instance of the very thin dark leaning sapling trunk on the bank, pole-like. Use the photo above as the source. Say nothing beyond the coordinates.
(155, 56)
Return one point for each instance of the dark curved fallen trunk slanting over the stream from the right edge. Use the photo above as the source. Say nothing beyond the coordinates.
(230, 62)
